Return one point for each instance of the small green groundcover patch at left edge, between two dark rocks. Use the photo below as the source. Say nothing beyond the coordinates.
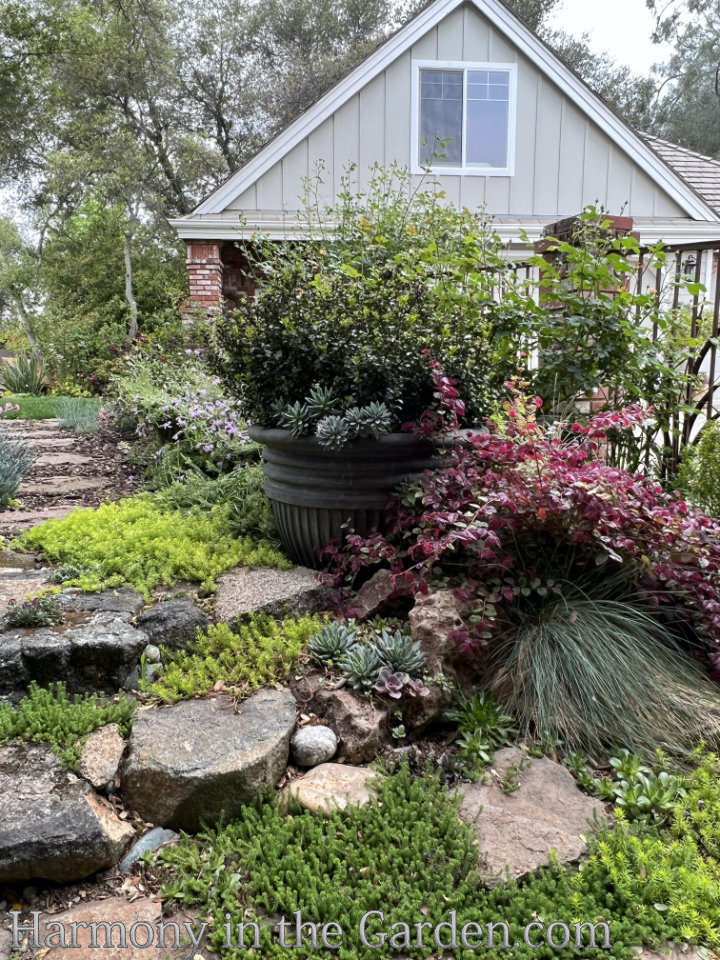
(51, 716)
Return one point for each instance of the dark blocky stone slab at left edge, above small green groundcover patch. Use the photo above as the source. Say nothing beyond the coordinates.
(95, 652)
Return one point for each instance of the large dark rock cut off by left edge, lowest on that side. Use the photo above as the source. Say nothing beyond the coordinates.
(53, 826)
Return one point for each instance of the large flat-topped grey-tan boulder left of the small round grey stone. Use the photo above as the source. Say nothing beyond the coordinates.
(195, 760)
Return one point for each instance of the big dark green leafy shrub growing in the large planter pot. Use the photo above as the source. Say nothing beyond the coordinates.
(335, 337)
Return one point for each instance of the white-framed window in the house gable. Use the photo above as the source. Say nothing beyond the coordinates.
(464, 117)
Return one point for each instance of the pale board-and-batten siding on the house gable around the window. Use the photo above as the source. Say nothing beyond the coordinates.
(563, 161)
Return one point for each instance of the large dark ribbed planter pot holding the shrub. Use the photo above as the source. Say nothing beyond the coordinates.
(318, 495)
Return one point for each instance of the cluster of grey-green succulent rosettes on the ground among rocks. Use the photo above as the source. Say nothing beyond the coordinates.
(385, 661)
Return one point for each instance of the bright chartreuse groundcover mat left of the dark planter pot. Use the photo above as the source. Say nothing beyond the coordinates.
(139, 543)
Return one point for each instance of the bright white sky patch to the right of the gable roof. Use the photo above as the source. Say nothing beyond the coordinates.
(620, 27)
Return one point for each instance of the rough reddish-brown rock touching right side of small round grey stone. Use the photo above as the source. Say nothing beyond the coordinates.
(360, 725)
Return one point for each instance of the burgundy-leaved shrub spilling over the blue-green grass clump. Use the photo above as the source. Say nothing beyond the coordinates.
(519, 508)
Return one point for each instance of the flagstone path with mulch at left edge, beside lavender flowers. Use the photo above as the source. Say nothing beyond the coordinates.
(70, 471)
